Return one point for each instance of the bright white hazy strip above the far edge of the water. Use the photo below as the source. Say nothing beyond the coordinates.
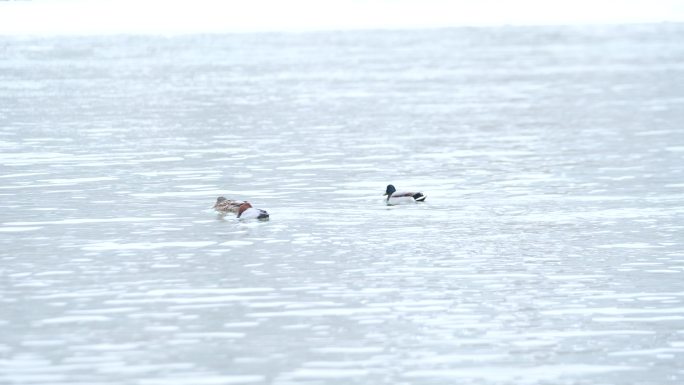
(178, 16)
